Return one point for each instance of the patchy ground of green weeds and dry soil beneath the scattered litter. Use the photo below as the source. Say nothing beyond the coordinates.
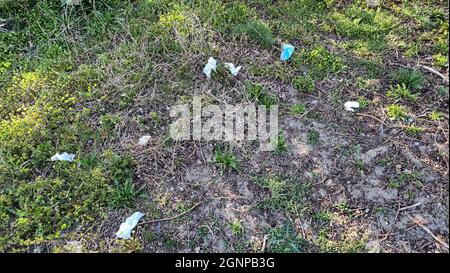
(91, 79)
